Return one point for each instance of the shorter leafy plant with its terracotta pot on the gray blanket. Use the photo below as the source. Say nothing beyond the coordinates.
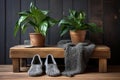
(76, 24)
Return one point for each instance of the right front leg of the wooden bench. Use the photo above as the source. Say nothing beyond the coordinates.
(102, 65)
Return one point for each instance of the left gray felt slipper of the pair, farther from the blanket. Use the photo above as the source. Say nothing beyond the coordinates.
(36, 66)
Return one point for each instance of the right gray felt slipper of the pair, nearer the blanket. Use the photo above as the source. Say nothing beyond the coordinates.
(51, 66)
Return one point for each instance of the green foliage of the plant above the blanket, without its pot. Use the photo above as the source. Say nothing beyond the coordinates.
(76, 21)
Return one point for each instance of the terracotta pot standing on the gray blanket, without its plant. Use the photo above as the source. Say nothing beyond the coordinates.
(77, 36)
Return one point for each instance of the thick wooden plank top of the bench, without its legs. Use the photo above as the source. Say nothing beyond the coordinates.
(20, 51)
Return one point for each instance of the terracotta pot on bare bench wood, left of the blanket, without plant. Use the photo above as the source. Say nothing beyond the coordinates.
(37, 39)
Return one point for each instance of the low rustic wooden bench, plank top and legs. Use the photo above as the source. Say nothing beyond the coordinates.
(101, 52)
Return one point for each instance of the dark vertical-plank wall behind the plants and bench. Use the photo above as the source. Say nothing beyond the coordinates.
(102, 12)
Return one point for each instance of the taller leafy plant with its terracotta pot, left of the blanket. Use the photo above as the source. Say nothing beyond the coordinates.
(39, 21)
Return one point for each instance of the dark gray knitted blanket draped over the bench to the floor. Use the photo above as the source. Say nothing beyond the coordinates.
(76, 56)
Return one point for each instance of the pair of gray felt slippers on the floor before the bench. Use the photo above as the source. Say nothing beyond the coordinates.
(37, 65)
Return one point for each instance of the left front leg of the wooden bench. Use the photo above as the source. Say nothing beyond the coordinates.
(16, 64)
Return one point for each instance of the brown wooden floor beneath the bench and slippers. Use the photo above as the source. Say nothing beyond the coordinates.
(113, 74)
